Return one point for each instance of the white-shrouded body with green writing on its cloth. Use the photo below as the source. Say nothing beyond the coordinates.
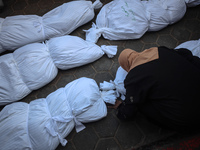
(128, 19)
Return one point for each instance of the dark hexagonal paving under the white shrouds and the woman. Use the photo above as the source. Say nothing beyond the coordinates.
(111, 133)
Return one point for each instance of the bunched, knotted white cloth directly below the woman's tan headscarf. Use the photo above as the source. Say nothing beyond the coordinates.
(117, 85)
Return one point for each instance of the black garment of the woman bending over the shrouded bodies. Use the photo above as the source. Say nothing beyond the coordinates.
(166, 90)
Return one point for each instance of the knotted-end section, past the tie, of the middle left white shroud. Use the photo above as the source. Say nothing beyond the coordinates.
(79, 51)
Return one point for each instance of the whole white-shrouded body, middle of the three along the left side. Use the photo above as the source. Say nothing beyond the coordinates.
(34, 65)
